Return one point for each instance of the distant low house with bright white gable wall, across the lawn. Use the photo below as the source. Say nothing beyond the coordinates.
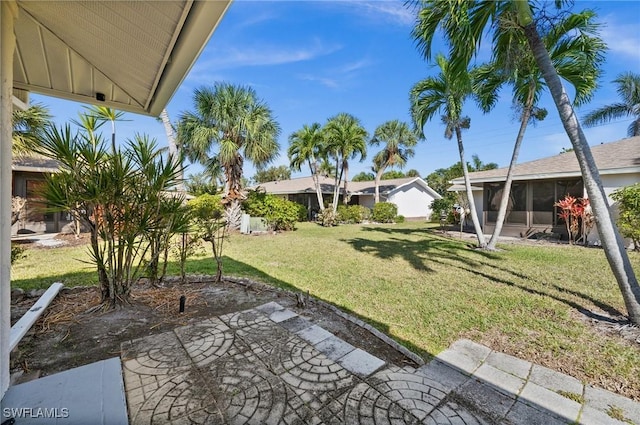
(412, 195)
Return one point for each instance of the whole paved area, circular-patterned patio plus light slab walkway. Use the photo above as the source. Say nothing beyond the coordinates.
(269, 365)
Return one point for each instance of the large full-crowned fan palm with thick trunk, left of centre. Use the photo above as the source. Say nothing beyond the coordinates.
(240, 125)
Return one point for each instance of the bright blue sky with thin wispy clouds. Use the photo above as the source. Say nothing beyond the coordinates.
(309, 60)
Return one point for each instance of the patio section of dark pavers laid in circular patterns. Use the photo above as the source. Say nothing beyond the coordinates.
(247, 368)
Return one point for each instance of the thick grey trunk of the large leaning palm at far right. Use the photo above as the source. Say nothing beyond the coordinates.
(610, 238)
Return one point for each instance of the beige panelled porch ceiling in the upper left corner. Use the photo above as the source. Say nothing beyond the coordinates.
(127, 55)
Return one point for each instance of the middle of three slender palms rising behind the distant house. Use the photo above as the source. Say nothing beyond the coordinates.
(345, 139)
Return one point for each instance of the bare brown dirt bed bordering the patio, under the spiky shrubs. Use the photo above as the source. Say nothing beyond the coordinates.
(75, 331)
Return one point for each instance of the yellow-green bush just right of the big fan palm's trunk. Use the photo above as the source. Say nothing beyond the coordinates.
(280, 214)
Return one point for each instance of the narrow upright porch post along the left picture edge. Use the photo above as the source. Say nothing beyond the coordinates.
(8, 14)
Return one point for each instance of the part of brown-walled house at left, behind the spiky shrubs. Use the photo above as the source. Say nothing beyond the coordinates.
(28, 174)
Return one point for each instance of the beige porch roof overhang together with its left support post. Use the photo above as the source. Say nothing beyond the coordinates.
(89, 52)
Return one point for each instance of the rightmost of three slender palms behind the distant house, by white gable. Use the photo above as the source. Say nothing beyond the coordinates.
(399, 141)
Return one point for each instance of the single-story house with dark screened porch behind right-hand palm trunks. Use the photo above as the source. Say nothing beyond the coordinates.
(538, 185)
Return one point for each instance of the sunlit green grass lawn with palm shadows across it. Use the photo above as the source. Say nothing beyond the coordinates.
(427, 291)
